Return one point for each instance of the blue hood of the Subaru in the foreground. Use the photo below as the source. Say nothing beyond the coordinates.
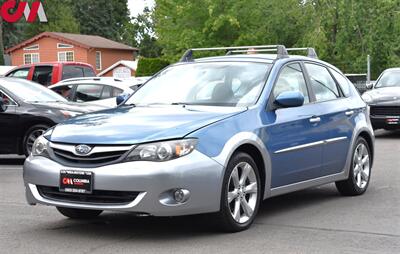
(134, 125)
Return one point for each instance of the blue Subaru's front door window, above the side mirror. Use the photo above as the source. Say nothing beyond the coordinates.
(290, 79)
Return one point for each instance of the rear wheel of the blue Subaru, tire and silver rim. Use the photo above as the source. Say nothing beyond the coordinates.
(360, 171)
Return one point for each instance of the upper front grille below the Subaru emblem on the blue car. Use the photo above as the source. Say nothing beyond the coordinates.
(96, 158)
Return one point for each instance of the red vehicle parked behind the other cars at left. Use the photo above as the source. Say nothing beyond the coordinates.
(50, 73)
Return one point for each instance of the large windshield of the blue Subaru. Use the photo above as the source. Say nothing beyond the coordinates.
(212, 84)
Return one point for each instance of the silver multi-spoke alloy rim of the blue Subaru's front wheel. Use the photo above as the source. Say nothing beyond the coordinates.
(242, 192)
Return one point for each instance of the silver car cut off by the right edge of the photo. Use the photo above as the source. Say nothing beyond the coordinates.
(384, 100)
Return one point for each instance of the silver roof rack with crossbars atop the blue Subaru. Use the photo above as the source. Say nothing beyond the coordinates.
(281, 50)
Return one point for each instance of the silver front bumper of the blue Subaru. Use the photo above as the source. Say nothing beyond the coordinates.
(196, 172)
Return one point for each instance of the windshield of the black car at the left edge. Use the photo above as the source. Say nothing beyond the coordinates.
(32, 92)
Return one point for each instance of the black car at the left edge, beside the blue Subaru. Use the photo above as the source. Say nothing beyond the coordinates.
(27, 110)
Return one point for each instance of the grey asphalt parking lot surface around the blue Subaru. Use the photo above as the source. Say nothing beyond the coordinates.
(317, 220)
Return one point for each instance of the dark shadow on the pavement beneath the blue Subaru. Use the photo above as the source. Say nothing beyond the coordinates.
(128, 226)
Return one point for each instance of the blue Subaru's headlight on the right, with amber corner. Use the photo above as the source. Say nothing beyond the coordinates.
(162, 151)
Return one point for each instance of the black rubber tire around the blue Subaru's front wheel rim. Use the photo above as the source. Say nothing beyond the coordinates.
(230, 223)
